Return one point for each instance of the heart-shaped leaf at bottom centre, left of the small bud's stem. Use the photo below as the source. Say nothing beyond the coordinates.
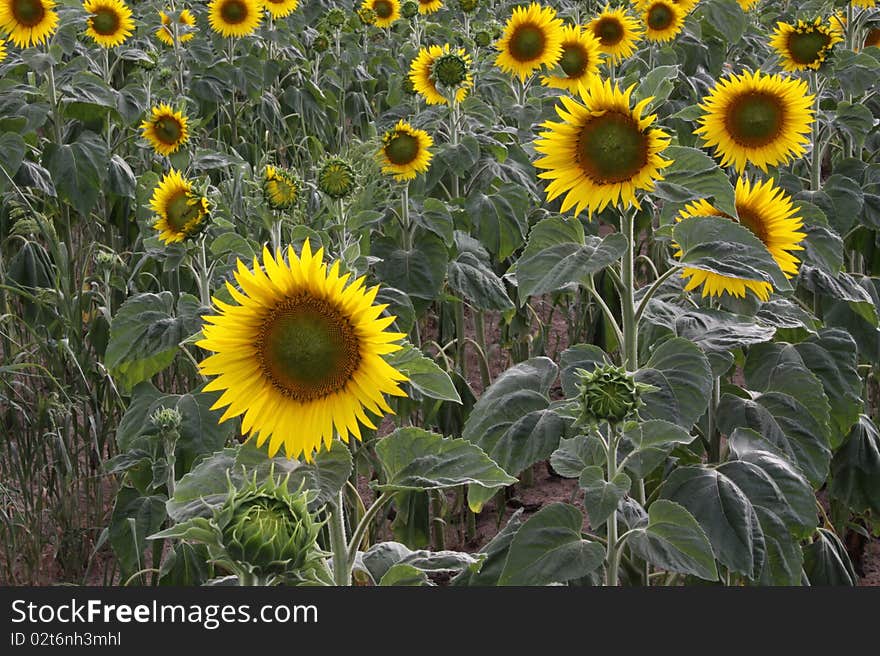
(548, 548)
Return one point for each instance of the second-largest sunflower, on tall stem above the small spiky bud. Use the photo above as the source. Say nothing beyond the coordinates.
(602, 152)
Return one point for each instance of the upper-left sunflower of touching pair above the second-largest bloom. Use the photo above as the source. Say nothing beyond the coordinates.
(532, 38)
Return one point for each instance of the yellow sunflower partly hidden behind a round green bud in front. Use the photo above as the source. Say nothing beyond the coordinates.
(436, 70)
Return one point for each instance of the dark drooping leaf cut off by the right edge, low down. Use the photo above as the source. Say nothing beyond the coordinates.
(856, 469)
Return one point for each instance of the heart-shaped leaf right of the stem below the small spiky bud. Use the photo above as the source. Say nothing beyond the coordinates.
(674, 541)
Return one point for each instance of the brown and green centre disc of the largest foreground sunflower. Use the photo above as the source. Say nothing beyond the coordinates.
(308, 348)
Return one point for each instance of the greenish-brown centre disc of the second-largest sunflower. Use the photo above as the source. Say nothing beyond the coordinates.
(611, 148)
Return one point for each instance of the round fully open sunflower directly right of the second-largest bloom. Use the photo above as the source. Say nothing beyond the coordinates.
(757, 118)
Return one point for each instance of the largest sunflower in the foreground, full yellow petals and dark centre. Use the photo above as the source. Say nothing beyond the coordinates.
(300, 353)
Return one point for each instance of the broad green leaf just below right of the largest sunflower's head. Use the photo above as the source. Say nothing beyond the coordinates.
(415, 459)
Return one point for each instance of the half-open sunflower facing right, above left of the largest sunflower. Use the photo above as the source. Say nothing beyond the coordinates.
(180, 214)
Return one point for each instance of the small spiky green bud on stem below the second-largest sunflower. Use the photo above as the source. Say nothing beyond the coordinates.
(608, 393)
